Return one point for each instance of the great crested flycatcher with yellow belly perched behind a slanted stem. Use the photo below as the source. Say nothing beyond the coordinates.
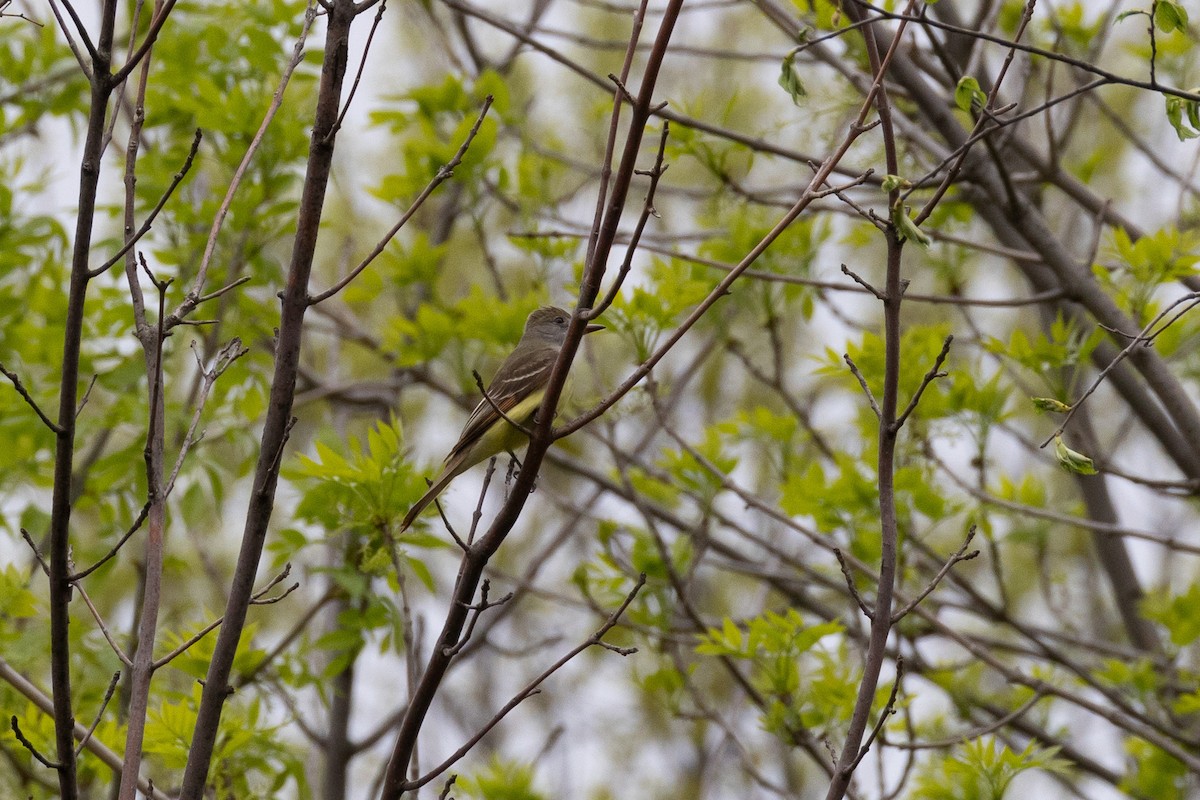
(517, 390)
